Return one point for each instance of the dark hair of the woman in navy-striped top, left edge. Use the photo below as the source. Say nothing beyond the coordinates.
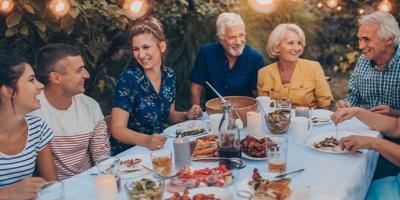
(11, 69)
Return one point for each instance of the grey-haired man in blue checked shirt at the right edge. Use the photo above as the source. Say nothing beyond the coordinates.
(375, 82)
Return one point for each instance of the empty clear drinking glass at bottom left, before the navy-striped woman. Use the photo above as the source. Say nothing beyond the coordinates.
(53, 190)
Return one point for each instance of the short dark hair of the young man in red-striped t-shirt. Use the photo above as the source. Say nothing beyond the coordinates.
(49, 55)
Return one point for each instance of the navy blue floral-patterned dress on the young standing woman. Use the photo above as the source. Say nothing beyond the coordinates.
(148, 110)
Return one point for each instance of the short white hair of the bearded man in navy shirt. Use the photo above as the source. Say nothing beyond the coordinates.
(227, 19)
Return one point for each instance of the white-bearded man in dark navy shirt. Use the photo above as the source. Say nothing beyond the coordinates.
(229, 65)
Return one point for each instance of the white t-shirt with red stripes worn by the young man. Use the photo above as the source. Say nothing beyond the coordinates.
(80, 131)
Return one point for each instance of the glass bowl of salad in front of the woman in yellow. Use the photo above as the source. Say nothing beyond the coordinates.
(278, 121)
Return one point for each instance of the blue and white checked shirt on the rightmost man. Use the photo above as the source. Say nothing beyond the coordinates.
(369, 86)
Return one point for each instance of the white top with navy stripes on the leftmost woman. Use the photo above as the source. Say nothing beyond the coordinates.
(14, 168)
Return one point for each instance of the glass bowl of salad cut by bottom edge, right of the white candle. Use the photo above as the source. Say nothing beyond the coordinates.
(145, 189)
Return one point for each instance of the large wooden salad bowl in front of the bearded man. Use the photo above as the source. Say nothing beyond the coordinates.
(241, 104)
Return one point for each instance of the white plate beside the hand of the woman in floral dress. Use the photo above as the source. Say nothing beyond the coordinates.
(185, 126)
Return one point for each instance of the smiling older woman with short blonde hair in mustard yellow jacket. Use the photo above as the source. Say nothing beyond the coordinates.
(290, 78)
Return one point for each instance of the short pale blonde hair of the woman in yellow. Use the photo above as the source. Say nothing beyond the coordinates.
(276, 37)
